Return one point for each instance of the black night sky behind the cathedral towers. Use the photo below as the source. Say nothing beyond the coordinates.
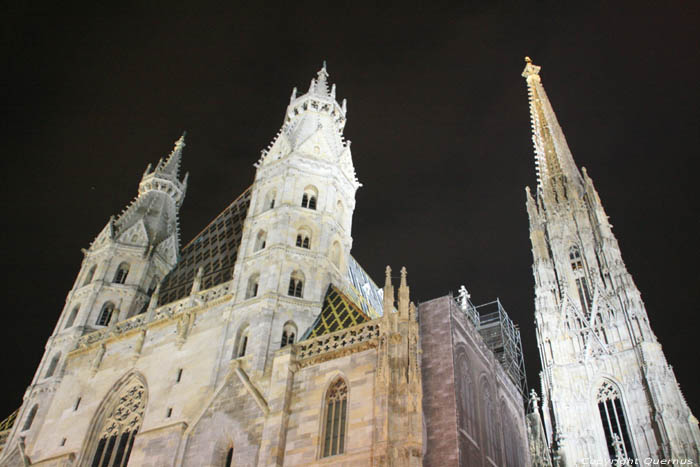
(437, 113)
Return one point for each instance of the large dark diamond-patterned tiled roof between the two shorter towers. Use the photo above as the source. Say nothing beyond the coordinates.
(214, 249)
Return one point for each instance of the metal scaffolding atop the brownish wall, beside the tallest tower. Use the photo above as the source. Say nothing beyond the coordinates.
(500, 335)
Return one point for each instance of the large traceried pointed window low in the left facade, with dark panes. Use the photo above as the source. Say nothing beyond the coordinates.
(120, 426)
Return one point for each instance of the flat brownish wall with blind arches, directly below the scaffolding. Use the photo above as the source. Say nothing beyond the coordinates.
(473, 411)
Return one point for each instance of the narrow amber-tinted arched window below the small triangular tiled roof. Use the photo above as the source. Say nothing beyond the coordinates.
(334, 419)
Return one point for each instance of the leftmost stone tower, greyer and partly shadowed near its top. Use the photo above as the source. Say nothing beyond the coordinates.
(120, 271)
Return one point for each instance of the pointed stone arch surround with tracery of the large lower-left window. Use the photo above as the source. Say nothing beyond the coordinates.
(119, 417)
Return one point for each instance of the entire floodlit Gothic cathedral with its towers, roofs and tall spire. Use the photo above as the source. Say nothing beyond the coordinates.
(263, 342)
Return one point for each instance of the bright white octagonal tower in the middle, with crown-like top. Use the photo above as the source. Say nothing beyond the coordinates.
(296, 238)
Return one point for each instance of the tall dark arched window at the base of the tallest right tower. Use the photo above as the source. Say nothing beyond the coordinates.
(612, 415)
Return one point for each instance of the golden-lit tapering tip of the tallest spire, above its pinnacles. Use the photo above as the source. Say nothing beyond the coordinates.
(553, 160)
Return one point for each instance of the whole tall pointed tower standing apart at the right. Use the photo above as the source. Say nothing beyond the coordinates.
(608, 392)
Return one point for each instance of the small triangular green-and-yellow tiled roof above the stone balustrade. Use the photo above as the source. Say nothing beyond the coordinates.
(338, 312)
